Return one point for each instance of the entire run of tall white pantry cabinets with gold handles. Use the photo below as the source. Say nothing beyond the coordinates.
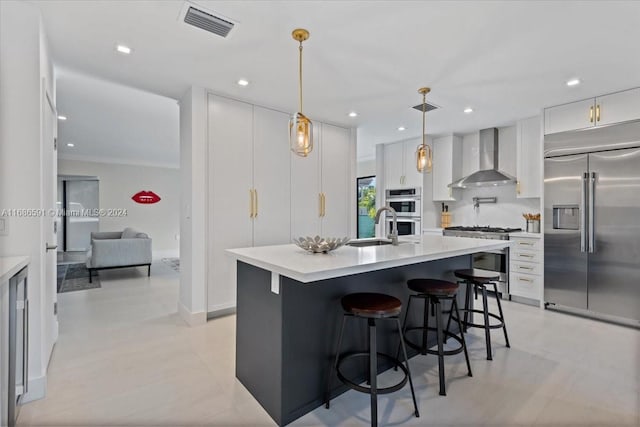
(259, 193)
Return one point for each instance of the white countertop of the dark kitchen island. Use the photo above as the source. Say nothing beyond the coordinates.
(293, 262)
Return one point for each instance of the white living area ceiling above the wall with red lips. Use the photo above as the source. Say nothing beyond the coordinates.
(110, 122)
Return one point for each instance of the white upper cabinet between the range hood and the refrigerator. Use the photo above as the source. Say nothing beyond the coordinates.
(529, 158)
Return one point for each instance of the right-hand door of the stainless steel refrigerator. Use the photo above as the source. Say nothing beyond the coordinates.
(614, 272)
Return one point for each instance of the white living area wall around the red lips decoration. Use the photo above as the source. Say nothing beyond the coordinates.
(119, 182)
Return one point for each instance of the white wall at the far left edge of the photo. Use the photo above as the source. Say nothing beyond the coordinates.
(24, 63)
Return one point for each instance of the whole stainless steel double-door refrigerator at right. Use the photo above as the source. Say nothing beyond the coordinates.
(592, 220)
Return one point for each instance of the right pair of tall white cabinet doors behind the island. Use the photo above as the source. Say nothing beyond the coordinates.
(320, 183)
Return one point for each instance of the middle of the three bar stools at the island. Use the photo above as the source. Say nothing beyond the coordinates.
(433, 292)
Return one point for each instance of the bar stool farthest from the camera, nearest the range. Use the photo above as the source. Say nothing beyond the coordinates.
(480, 279)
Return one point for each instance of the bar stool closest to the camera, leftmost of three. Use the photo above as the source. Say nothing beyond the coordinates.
(371, 306)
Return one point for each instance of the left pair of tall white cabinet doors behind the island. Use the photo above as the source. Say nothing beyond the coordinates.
(249, 187)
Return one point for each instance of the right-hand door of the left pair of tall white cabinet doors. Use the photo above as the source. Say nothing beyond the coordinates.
(271, 177)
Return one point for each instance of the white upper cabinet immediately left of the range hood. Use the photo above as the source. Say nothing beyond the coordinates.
(447, 165)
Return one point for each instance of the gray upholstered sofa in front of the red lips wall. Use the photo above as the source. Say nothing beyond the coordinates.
(118, 249)
